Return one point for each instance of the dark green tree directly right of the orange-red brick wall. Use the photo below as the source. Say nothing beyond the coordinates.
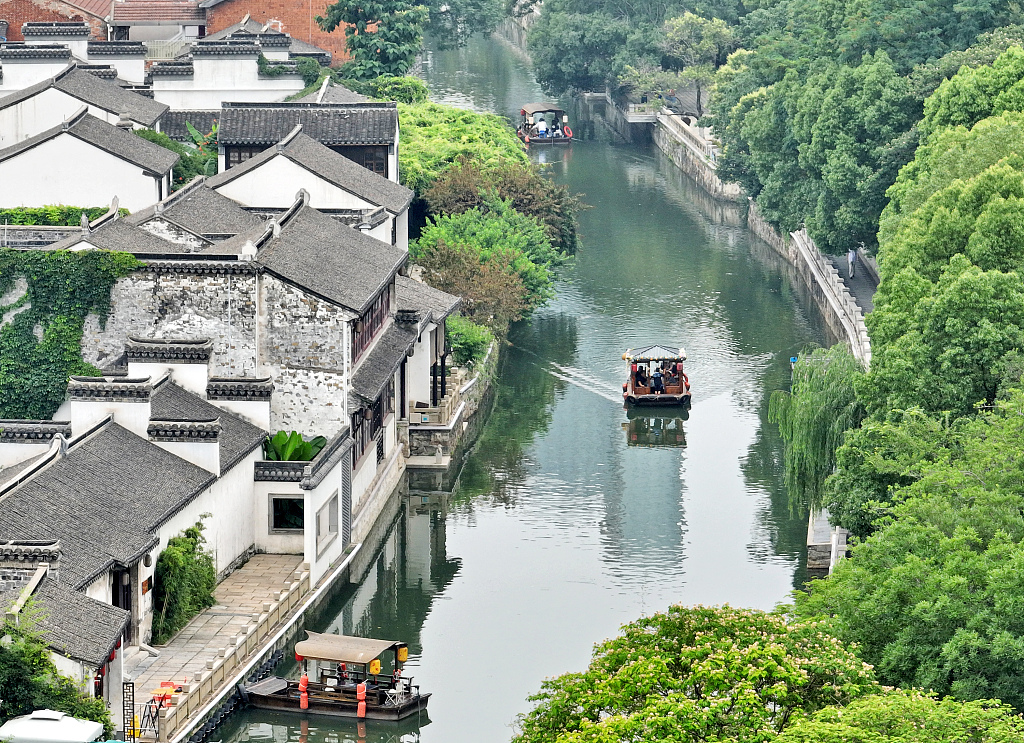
(383, 37)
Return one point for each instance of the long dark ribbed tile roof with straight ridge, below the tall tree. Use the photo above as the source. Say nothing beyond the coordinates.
(331, 124)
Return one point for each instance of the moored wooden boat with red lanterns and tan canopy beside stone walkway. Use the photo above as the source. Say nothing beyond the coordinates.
(342, 677)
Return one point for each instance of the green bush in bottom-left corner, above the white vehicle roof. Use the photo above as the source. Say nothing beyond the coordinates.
(29, 681)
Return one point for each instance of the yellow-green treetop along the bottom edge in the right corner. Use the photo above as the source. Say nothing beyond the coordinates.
(910, 717)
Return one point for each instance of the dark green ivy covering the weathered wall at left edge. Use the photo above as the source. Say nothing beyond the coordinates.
(46, 297)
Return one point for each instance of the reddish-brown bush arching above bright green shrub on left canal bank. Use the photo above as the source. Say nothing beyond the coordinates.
(468, 186)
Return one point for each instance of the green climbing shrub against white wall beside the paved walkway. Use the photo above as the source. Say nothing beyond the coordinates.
(184, 583)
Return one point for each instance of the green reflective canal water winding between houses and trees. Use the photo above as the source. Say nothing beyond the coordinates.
(568, 519)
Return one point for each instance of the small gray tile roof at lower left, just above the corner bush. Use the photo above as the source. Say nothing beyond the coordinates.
(78, 627)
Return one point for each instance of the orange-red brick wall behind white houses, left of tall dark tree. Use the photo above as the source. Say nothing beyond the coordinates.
(296, 20)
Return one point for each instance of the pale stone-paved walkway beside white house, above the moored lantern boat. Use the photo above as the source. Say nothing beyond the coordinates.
(239, 597)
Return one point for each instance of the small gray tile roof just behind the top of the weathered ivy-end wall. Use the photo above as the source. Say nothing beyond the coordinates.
(202, 211)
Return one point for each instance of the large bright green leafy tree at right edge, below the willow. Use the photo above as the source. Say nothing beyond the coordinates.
(934, 598)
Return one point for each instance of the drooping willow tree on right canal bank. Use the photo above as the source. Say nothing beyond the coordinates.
(815, 418)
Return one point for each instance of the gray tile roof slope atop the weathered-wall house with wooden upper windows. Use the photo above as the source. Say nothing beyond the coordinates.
(330, 259)
